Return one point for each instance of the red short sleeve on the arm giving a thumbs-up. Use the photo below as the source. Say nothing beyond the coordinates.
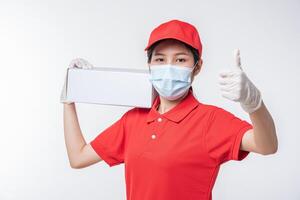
(223, 136)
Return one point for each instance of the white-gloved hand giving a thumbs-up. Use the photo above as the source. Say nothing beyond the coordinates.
(236, 86)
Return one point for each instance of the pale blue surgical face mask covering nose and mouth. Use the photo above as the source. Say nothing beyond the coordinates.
(171, 81)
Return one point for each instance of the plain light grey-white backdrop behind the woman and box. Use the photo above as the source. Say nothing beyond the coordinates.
(39, 39)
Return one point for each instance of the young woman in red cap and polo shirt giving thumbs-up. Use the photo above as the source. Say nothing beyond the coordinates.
(175, 149)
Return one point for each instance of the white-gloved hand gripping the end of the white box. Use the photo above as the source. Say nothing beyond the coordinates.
(75, 63)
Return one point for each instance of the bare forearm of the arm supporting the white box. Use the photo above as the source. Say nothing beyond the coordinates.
(74, 139)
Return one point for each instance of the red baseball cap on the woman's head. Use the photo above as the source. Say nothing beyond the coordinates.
(179, 30)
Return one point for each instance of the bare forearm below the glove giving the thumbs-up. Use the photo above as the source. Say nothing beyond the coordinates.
(264, 130)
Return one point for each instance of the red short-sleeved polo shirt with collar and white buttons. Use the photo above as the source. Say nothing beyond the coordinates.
(175, 155)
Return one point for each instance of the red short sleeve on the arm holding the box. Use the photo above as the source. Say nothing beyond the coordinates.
(110, 143)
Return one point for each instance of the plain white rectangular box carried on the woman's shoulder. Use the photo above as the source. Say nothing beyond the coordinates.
(110, 86)
